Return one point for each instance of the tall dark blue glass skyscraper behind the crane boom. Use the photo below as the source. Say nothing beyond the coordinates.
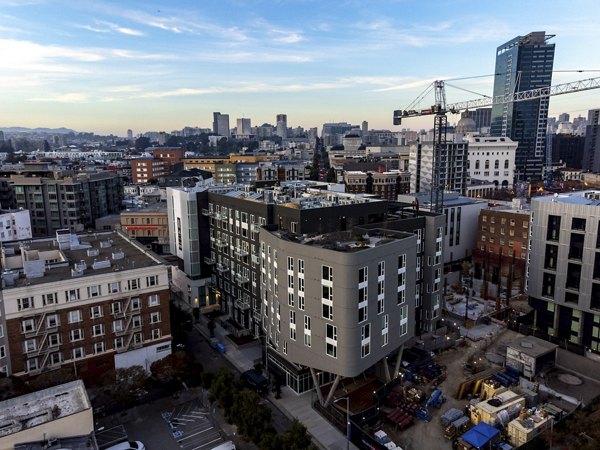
(524, 63)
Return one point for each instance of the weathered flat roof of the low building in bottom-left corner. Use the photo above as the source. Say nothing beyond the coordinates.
(30, 410)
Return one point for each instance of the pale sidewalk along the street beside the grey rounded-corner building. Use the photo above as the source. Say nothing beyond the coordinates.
(324, 435)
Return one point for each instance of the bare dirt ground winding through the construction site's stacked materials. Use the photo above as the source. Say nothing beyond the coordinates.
(430, 435)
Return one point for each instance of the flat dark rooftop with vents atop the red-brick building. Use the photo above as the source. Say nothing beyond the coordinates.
(69, 256)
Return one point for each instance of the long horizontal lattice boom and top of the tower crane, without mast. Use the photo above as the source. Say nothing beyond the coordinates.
(441, 108)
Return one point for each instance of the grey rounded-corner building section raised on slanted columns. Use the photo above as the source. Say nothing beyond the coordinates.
(336, 304)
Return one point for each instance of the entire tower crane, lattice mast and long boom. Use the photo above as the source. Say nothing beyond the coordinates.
(440, 109)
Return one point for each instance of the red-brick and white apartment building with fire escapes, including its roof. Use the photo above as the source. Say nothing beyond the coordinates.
(90, 302)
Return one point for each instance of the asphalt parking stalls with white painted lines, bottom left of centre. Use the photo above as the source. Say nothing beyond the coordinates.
(191, 427)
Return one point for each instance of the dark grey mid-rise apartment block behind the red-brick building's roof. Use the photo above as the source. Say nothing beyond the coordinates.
(67, 202)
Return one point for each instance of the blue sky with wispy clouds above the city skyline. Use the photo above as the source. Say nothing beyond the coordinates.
(107, 66)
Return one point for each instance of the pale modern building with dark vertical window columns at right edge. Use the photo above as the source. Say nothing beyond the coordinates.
(563, 269)
